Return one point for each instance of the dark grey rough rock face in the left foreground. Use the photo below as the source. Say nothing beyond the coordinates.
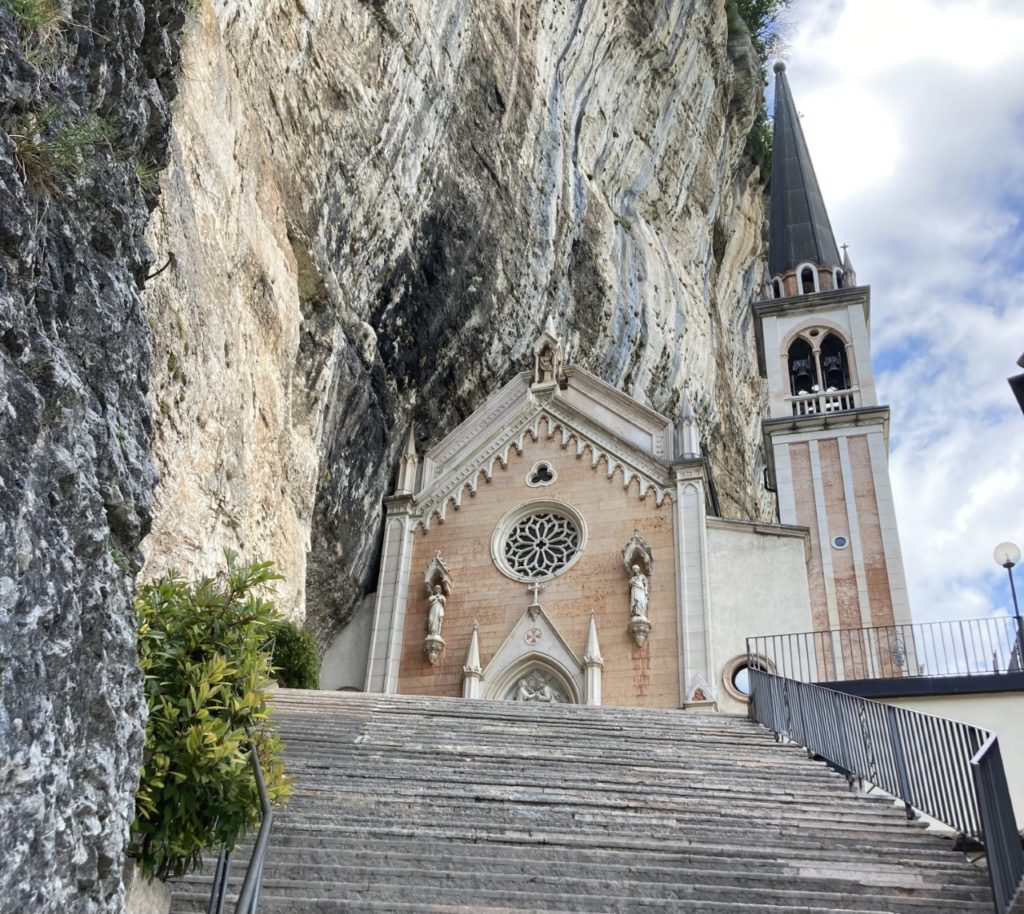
(83, 101)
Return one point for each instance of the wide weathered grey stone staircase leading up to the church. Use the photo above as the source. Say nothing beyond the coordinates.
(423, 805)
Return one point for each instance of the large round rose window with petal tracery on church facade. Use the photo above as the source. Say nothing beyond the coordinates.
(538, 542)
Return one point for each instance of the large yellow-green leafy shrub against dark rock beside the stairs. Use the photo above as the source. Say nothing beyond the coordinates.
(203, 649)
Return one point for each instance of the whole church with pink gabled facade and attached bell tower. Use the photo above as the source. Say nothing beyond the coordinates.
(563, 545)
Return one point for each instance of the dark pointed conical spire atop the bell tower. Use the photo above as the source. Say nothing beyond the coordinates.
(800, 228)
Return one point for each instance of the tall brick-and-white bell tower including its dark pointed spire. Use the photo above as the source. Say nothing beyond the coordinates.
(827, 439)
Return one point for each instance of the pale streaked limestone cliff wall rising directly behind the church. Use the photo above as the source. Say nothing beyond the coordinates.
(370, 208)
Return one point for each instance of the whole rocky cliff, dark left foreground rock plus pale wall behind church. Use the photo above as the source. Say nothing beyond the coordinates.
(370, 208)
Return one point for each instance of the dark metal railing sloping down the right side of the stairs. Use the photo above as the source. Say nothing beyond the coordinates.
(948, 770)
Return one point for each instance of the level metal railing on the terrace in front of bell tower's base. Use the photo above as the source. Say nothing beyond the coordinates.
(970, 647)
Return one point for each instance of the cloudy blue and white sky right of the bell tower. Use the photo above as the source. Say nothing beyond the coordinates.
(914, 112)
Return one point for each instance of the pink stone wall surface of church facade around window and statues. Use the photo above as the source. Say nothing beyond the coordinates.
(598, 582)
